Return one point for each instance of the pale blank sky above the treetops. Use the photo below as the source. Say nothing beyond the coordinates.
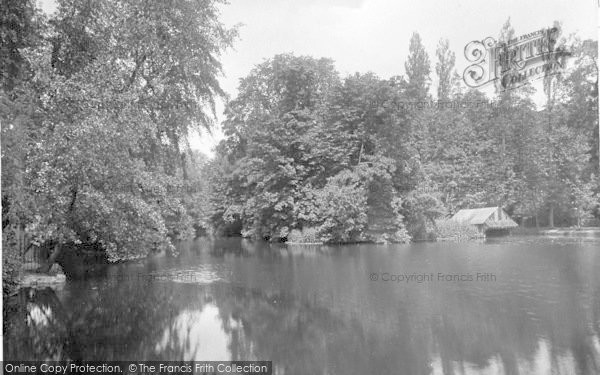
(373, 35)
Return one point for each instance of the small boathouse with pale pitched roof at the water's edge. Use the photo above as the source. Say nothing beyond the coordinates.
(487, 220)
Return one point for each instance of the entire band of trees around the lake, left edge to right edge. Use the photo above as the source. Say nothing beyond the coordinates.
(98, 101)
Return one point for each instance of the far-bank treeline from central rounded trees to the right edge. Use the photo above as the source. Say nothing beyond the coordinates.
(366, 158)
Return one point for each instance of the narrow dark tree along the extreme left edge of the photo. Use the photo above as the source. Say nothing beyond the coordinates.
(21, 27)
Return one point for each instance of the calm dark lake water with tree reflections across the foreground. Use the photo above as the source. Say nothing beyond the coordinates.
(319, 310)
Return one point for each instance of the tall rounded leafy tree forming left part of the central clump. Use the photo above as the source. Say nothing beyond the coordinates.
(276, 143)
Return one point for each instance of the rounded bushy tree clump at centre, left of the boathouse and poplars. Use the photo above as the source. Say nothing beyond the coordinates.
(304, 150)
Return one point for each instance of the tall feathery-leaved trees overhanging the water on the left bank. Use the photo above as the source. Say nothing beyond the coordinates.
(97, 103)
